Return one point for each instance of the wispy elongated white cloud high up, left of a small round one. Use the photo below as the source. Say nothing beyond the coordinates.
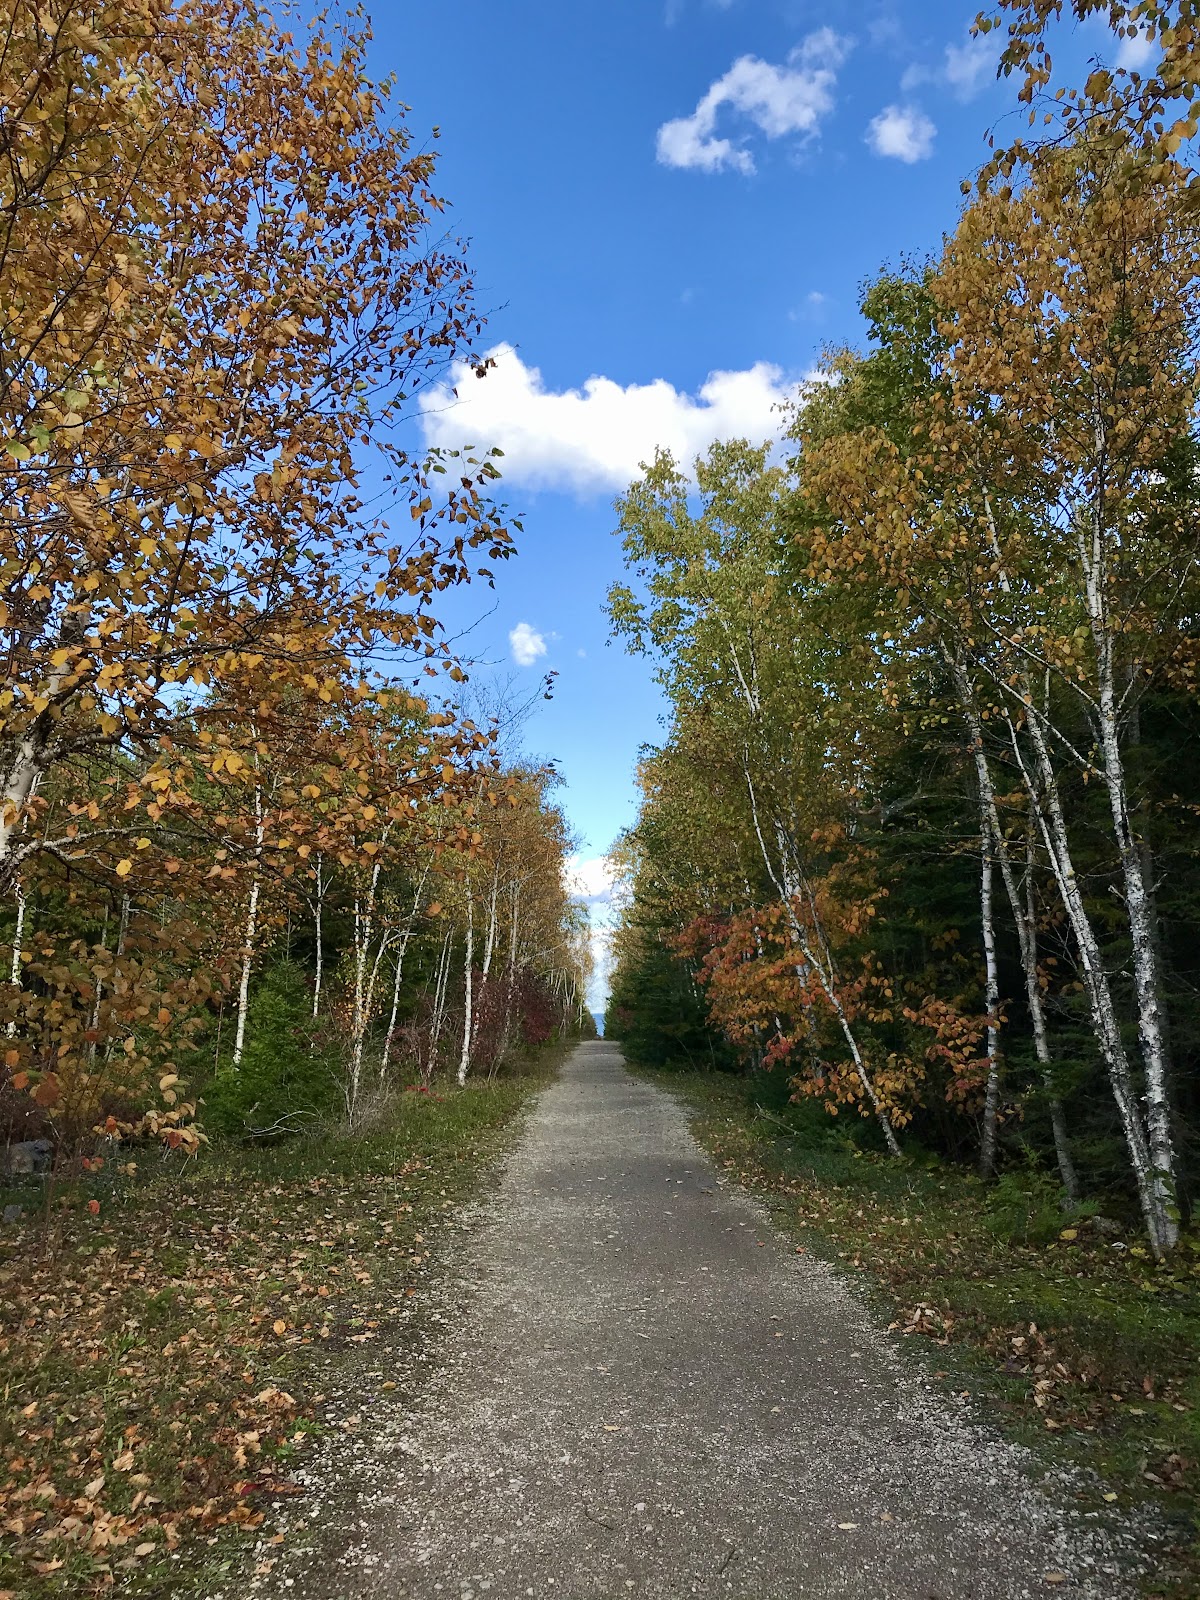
(791, 98)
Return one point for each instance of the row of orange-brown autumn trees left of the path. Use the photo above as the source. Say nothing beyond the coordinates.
(252, 844)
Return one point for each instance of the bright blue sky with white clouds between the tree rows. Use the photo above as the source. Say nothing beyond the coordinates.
(671, 206)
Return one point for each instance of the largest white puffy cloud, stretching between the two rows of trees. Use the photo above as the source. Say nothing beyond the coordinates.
(596, 438)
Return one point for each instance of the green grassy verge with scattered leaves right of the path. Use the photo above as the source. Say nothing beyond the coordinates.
(1070, 1338)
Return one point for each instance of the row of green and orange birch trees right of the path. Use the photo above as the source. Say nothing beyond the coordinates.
(924, 828)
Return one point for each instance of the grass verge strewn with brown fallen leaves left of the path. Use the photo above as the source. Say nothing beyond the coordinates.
(162, 1366)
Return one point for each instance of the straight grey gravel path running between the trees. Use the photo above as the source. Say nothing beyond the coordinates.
(646, 1393)
